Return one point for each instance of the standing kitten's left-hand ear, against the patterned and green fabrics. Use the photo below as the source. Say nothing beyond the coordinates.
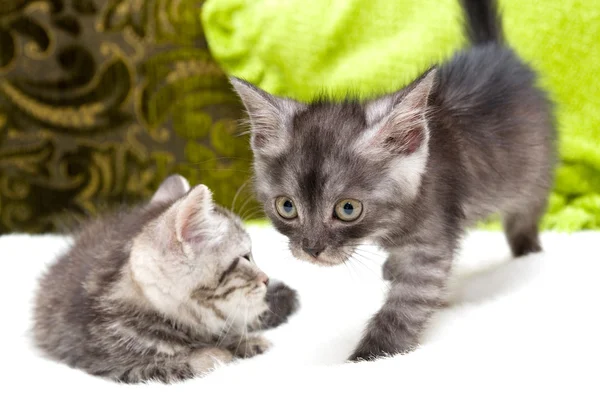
(269, 116)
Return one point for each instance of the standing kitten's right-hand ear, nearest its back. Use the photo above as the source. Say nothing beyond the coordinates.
(401, 119)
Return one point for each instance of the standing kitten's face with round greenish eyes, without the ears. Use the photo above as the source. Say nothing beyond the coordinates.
(320, 192)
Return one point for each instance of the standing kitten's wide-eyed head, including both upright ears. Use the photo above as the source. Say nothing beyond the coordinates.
(334, 174)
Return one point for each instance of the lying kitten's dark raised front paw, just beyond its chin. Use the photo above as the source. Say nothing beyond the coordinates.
(282, 301)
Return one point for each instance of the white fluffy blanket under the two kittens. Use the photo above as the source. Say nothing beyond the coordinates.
(516, 327)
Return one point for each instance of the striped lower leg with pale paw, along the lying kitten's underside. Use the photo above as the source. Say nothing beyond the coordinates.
(169, 369)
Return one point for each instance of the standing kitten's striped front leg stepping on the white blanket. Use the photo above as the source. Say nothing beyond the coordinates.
(419, 274)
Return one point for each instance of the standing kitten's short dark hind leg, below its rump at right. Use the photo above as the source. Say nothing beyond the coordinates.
(521, 229)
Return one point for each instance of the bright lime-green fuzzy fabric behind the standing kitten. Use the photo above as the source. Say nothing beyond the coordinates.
(301, 48)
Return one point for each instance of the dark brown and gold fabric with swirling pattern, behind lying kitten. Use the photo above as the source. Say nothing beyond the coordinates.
(101, 99)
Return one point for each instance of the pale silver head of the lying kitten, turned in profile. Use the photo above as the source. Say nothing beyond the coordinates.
(194, 261)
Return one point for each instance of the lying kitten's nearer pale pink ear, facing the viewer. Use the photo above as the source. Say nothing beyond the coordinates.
(192, 215)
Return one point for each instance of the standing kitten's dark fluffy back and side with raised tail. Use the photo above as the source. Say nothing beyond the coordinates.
(489, 100)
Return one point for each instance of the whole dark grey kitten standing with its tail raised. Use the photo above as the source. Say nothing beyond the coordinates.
(411, 170)
